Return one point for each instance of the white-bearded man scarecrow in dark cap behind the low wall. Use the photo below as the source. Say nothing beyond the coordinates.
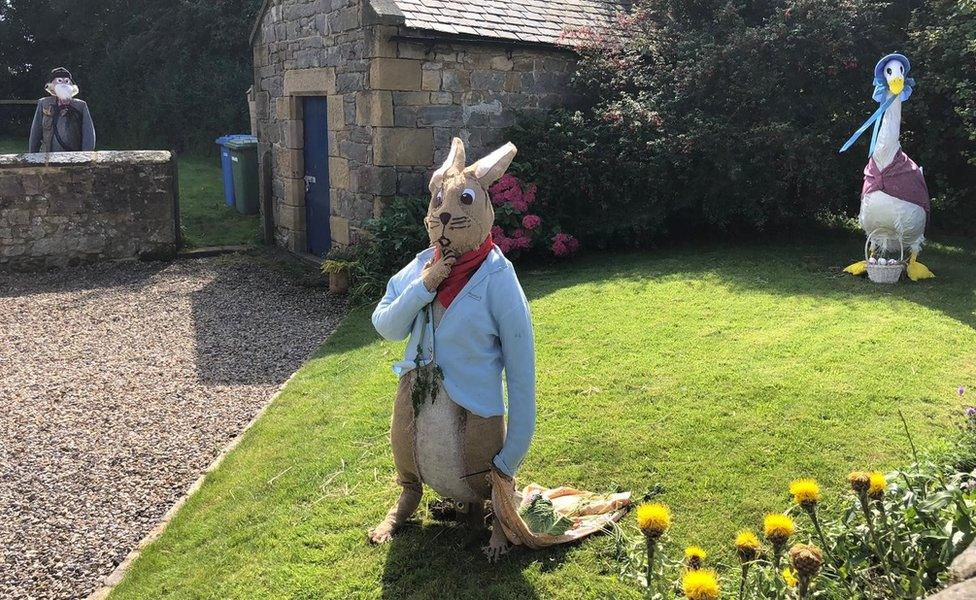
(62, 123)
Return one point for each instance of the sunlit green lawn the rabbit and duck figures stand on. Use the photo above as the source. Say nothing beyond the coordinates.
(718, 373)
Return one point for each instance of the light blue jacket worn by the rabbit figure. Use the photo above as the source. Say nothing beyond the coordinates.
(487, 328)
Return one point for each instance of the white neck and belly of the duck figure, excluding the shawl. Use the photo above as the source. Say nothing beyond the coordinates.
(891, 223)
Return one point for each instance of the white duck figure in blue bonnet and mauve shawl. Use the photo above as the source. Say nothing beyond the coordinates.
(894, 198)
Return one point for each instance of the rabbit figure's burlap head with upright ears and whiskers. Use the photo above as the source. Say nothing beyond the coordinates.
(460, 215)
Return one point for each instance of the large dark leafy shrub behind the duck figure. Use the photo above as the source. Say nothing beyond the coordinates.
(729, 115)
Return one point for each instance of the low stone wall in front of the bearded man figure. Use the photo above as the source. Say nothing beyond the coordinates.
(66, 208)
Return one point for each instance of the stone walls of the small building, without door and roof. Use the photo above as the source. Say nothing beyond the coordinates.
(395, 98)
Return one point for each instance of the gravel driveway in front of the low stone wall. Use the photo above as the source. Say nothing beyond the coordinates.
(119, 384)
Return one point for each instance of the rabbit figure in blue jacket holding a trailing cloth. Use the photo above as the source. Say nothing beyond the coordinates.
(468, 320)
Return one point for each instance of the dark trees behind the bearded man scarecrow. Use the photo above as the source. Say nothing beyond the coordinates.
(163, 74)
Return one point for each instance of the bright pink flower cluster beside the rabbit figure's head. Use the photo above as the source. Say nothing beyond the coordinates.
(519, 228)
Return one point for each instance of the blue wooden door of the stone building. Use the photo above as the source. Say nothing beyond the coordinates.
(317, 176)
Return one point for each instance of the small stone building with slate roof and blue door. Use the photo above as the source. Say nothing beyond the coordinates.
(354, 100)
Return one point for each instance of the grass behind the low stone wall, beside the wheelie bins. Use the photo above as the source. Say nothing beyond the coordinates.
(206, 219)
